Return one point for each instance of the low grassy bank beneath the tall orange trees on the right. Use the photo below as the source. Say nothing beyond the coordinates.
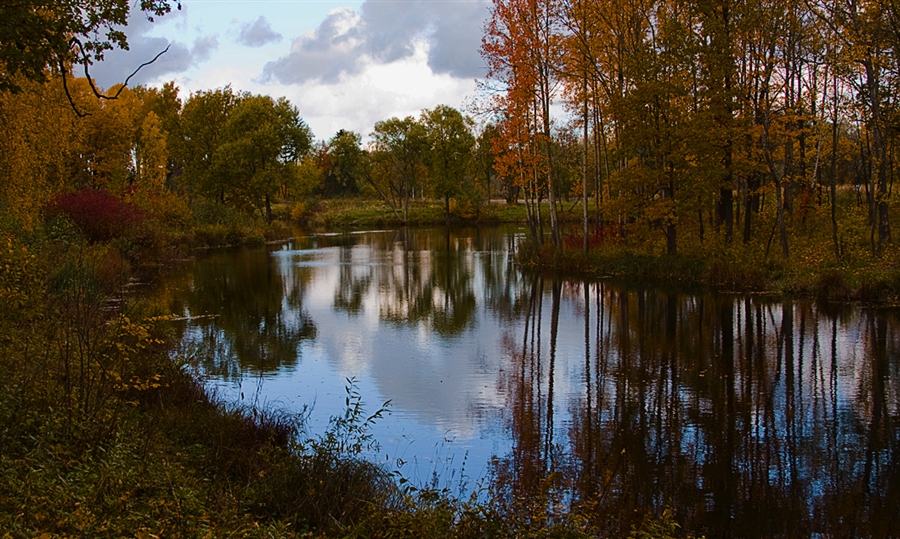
(812, 270)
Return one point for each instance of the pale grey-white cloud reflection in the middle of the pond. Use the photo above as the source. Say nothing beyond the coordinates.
(447, 381)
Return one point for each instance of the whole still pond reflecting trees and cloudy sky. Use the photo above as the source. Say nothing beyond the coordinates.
(747, 416)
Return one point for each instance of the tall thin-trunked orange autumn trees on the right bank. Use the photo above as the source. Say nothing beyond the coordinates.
(692, 114)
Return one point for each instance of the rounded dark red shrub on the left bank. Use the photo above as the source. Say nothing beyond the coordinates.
(99, 214)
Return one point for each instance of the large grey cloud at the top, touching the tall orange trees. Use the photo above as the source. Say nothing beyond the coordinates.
(386, 31)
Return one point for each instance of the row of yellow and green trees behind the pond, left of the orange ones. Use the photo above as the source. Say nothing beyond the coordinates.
(223, 146)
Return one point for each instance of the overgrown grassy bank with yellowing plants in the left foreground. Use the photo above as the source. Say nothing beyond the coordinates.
(105, 436)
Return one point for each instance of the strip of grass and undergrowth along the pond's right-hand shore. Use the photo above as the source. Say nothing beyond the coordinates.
(709, 261)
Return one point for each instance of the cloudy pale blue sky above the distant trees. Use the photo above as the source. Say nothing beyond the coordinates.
(345, 64)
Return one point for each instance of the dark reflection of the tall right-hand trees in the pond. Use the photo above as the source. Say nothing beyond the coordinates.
(749, 418)
